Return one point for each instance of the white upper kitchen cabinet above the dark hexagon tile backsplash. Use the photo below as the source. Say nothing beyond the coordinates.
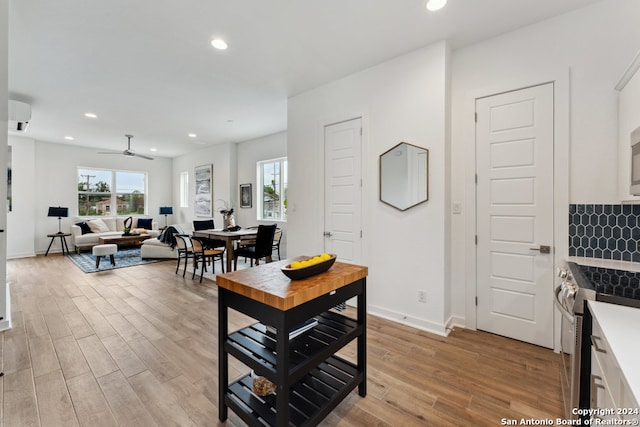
(628, 120)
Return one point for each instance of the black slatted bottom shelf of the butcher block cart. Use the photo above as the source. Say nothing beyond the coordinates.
(310, 399)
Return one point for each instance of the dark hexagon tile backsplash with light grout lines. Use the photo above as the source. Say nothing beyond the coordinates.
(605, 231)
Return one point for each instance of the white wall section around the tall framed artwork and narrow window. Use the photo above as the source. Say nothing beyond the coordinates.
(223, 157)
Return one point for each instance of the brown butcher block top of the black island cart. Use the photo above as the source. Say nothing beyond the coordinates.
(267, 284)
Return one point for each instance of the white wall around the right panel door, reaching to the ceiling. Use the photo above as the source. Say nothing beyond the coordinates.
(594, 44)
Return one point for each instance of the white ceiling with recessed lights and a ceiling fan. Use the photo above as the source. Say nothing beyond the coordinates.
(146, 67)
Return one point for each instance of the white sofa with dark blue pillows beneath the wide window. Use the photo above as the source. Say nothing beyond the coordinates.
(104, 226)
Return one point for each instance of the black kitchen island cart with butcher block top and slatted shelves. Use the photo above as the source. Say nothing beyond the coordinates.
(310, 380)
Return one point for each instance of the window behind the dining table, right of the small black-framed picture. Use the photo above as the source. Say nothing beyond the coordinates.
(272, 179)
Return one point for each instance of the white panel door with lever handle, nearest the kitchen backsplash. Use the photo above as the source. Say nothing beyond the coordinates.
(514, 154)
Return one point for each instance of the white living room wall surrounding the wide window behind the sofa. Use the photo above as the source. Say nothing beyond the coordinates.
(54, 183)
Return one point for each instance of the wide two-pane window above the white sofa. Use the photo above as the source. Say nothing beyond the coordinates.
(96, 195)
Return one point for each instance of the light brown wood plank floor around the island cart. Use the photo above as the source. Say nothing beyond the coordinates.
(137, 347)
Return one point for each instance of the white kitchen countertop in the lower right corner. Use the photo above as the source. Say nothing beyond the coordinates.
(620, 327)
